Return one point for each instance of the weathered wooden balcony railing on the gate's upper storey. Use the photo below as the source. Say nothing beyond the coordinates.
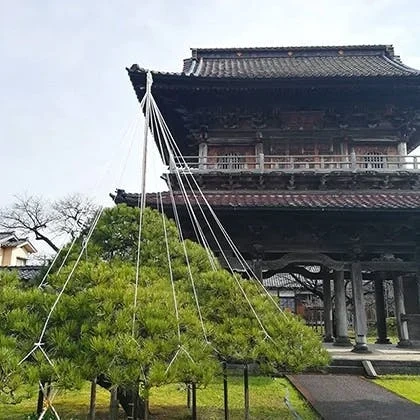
(298, 163)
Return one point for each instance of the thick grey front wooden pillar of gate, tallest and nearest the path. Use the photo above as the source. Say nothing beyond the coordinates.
(359, 309)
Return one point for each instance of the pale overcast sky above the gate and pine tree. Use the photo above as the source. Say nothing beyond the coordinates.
(66, 100)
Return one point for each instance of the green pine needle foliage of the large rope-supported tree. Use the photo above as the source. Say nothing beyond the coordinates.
(91, 334)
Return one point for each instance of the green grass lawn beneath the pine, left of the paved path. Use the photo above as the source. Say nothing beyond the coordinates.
(169, 402)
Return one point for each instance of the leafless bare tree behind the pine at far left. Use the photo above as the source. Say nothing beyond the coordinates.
(33, 215)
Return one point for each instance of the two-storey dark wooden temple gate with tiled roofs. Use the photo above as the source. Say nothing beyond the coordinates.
(303, 153)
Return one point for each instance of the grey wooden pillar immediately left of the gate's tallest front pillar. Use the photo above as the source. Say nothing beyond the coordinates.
(341, 338)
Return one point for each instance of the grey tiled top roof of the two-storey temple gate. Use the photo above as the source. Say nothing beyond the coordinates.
(293, 63)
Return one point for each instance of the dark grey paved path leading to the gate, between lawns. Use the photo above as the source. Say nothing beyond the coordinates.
(347, 397)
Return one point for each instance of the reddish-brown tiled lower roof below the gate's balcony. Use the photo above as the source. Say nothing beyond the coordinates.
(396, 200)
